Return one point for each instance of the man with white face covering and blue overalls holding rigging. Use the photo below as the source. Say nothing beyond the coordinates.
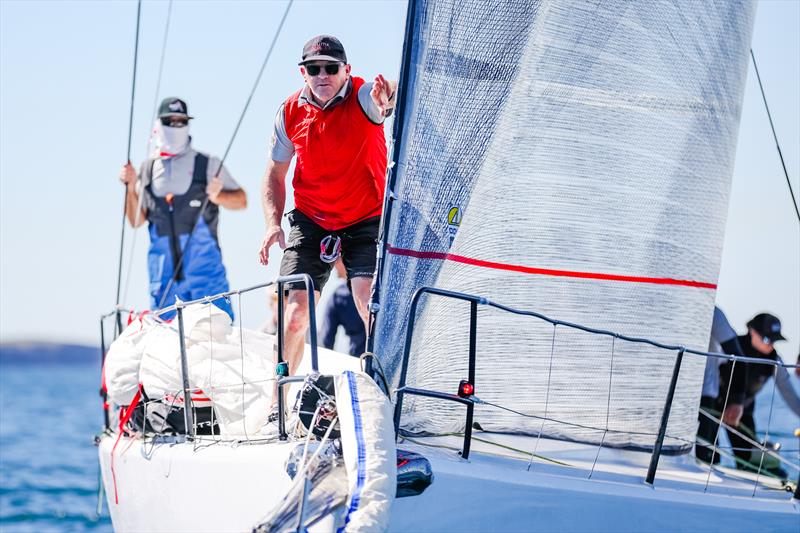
(169, 192)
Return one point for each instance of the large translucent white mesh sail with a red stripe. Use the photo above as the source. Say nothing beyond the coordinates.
(572, 158)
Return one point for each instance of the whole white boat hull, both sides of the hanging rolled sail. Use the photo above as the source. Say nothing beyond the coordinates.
(182, 487)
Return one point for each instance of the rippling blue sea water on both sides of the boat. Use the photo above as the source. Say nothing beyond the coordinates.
(49, 413)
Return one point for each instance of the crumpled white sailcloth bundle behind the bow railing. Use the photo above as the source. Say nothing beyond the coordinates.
(231, 367)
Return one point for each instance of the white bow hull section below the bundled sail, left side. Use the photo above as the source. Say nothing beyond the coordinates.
(180, 488)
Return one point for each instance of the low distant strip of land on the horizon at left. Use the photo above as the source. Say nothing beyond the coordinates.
(40, 352)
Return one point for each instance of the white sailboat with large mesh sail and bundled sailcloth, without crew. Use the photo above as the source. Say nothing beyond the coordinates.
(550, 246)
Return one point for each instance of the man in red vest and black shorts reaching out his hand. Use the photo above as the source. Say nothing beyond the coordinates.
(334, 125)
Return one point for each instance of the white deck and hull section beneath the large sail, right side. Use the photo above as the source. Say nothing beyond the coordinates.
(498, 487)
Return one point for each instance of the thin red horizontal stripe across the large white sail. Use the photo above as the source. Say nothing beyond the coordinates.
(546, 271)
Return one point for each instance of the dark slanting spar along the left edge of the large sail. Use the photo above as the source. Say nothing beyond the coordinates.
(388, 199)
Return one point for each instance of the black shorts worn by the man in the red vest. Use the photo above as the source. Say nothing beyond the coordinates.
(302, 254)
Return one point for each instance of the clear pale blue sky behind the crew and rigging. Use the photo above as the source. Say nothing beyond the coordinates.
(65, 74)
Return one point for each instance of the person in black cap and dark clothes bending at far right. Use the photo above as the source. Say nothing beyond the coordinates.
(763, 331)
